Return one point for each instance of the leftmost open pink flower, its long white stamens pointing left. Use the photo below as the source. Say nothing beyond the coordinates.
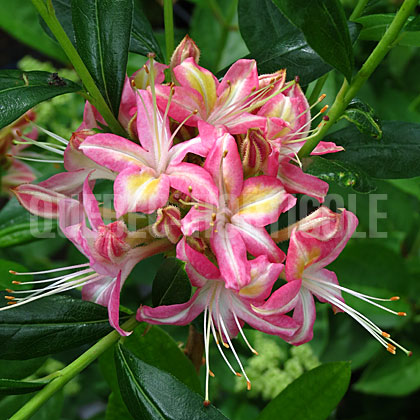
(111, 252)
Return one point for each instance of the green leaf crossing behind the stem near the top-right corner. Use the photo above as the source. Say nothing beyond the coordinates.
(374, 27)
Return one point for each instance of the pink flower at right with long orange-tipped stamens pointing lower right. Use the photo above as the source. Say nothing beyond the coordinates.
(317, 241)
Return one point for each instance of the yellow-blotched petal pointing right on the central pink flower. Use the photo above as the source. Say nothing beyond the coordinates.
(262, 200)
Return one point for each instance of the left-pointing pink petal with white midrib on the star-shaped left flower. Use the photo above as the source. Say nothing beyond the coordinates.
(114, 152)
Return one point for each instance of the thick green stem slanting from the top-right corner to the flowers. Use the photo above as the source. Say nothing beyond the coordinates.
(348, 92)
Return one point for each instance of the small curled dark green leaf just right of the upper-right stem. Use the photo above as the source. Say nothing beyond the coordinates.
(363, 117)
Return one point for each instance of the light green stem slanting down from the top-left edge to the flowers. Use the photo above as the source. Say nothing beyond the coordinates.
(48, 14)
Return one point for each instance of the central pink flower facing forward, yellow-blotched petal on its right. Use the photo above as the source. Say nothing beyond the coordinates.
(237, 222)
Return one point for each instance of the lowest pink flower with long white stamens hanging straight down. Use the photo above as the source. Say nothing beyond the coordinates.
(225, 310)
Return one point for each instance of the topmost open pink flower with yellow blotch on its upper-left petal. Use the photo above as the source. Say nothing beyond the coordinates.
(227, 103)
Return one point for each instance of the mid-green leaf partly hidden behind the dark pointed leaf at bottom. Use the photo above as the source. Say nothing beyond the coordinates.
(157, 348)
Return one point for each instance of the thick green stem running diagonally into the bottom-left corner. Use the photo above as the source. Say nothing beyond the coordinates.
(70, 371)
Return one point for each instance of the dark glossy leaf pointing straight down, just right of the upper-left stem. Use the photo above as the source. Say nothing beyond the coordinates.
(102, 30)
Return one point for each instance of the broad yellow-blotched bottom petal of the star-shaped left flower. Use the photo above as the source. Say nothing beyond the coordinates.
(141, 191)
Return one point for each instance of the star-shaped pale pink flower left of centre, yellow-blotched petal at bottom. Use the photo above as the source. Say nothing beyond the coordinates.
(148, 171)
